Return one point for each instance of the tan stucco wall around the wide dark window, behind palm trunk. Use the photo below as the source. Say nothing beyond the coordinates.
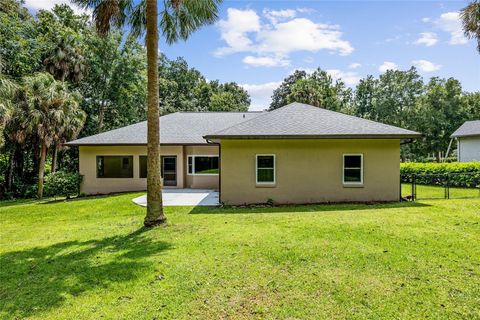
(93, 185)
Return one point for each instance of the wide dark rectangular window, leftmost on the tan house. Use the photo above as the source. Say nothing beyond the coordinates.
(114, 166)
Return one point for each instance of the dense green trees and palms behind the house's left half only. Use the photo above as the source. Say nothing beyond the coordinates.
(60, 52)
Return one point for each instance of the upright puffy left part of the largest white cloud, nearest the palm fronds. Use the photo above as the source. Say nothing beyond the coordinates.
(235, 30)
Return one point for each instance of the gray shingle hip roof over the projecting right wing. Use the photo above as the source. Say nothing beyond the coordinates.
(298, 120)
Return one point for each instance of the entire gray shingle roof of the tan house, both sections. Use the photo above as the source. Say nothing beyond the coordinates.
(294, 121)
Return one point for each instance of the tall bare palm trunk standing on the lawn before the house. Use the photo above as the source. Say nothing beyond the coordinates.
(155, 214)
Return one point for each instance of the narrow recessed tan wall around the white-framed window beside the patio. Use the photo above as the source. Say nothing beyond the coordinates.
(201, 181)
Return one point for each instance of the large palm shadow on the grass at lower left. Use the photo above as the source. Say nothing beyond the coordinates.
(39, 279)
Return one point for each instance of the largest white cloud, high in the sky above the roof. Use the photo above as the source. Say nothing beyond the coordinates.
(243, 31)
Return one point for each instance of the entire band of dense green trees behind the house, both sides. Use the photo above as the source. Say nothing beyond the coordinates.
(57, 73)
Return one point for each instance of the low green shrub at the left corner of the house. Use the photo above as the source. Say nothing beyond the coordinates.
(62, 183)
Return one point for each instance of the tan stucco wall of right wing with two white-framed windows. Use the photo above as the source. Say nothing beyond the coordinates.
(309, 171)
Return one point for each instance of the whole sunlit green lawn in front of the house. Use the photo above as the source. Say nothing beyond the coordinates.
(90, 259)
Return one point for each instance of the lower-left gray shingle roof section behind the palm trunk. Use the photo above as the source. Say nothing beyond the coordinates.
(175, 128)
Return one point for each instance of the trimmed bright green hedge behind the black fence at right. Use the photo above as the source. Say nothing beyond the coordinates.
(457, 174)
